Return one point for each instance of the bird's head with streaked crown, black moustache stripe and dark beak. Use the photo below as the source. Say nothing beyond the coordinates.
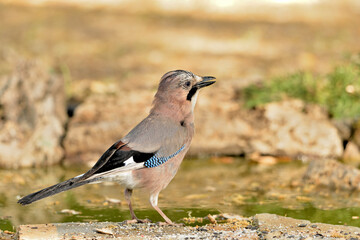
(181, 87)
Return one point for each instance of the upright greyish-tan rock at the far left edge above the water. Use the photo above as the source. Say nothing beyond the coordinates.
(32, 109)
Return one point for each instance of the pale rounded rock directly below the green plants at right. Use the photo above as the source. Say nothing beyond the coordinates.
(295, 129)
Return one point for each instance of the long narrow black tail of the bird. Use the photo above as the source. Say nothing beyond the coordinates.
(57, 188)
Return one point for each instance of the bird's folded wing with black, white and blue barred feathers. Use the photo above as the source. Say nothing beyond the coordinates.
(150, 144)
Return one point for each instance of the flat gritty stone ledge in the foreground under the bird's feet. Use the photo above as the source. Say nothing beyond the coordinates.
(261, 226)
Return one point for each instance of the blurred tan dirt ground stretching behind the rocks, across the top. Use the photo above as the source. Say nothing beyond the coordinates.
(133, 46)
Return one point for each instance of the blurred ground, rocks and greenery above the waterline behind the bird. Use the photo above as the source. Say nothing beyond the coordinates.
(101, 62)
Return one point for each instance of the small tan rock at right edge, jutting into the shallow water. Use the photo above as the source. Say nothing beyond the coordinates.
(332, 174)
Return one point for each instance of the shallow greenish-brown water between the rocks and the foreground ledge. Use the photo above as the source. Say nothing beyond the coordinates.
(201, 187)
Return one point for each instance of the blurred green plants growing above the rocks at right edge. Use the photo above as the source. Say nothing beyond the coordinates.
(338, 91)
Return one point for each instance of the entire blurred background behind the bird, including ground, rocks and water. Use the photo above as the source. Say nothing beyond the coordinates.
(75, 76)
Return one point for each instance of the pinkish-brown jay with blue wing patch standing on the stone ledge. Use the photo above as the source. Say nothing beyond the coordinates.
(150, 155)
